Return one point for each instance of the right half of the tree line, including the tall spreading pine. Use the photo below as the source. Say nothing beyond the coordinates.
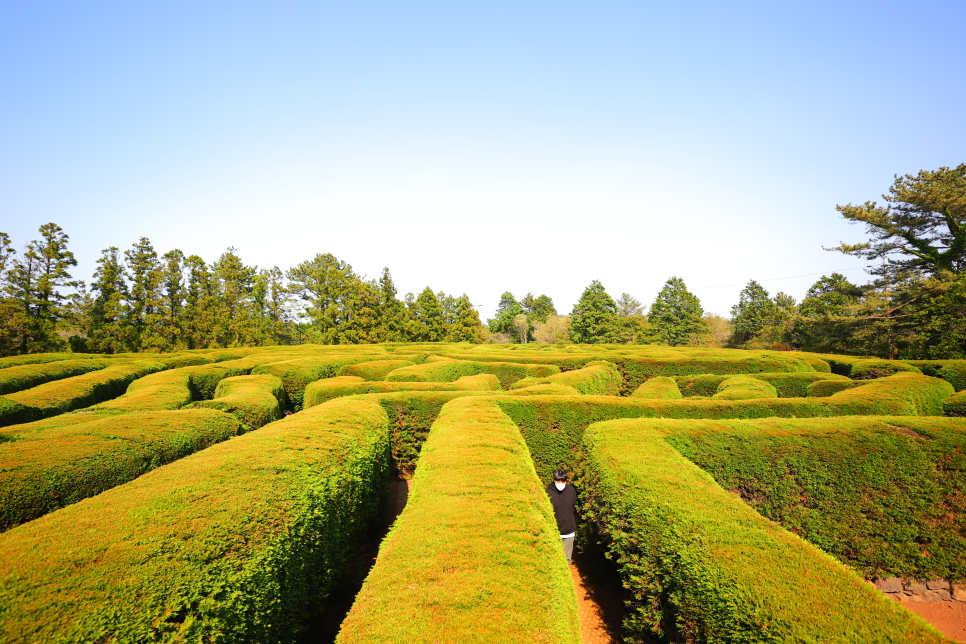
(913, 308)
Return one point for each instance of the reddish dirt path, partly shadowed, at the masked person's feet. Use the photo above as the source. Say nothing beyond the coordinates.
(599, 601)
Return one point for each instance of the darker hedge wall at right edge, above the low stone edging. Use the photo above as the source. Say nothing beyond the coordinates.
(883, 494)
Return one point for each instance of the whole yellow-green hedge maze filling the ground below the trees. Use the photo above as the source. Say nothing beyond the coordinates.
(222, 495)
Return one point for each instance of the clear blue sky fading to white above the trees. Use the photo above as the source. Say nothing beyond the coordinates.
(479, 147)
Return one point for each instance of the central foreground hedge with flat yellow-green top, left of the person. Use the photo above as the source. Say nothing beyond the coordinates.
(476, 549)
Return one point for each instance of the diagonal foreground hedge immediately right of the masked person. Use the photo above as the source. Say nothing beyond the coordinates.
(699, 565)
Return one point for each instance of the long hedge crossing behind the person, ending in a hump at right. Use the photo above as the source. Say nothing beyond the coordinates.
(903, 394)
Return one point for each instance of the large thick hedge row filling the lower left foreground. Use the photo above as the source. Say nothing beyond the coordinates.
(240, 542)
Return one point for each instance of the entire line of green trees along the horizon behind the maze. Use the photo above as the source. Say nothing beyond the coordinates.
(914, 307)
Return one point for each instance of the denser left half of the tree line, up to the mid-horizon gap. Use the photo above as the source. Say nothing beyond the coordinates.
(140, 301)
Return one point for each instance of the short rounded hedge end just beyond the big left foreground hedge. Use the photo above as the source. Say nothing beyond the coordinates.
(254, 400)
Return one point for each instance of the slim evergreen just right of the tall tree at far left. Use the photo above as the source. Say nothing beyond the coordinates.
(108, 331)
